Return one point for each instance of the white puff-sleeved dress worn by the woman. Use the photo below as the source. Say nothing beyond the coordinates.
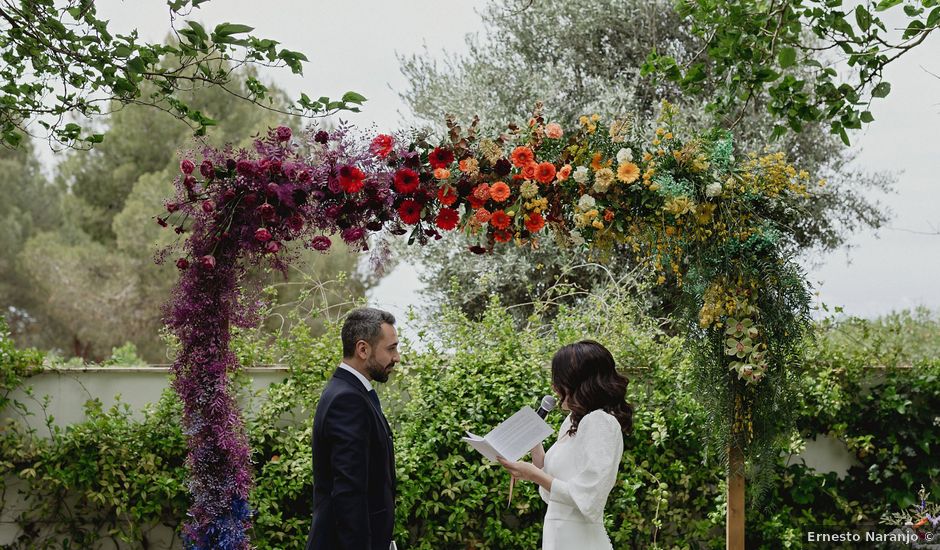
(585, 469)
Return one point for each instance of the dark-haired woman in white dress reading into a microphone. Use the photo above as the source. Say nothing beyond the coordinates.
(579, 470)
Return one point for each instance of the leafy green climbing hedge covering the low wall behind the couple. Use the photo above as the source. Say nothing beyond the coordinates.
(127, 473)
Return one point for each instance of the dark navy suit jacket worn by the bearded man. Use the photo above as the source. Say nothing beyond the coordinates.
(353, 470)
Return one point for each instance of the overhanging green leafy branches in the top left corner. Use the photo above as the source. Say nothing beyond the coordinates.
(67, 53)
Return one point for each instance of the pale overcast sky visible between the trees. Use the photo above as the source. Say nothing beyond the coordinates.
(352, 45)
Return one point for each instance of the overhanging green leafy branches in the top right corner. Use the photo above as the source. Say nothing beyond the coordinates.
(773, 54)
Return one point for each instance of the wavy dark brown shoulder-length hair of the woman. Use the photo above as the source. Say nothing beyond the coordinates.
(585, 374)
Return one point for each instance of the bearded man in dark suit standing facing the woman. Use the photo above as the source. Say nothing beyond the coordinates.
(353, 459)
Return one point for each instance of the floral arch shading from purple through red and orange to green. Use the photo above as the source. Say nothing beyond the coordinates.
(709, 223)
